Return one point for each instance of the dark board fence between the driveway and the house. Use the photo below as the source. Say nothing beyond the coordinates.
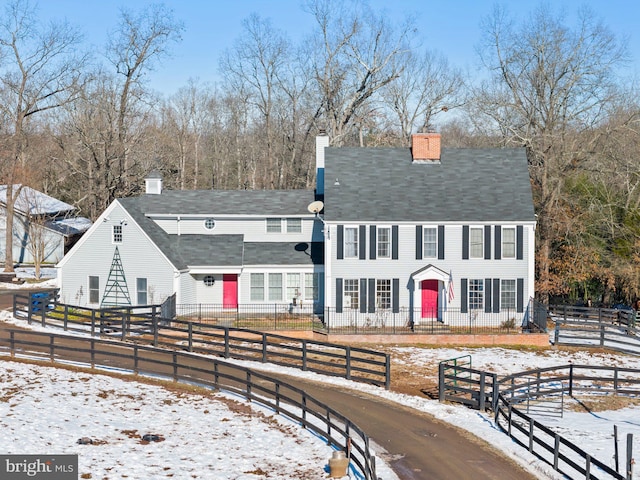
(144, 325)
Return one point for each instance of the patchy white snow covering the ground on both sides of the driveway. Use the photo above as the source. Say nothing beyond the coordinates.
(191, 451)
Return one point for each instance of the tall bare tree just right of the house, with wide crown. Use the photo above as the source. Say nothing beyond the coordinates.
(549, 84)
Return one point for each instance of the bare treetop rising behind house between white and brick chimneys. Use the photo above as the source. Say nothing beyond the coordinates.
(354, 51)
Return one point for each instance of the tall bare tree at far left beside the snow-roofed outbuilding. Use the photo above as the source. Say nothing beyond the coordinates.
(41, 71)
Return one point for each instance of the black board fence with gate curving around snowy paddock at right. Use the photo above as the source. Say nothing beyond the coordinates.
(511, 395)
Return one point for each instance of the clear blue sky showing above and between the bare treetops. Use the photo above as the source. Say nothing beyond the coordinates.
(451, 27)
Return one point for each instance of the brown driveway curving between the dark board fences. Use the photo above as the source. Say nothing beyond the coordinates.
(419, 446)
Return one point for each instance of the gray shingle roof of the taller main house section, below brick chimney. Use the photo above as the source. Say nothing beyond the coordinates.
(468, 185)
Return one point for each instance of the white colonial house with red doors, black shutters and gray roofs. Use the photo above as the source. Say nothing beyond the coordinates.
(421, 232)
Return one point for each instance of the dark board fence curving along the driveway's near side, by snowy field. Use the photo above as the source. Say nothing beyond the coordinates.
(284, 399)
